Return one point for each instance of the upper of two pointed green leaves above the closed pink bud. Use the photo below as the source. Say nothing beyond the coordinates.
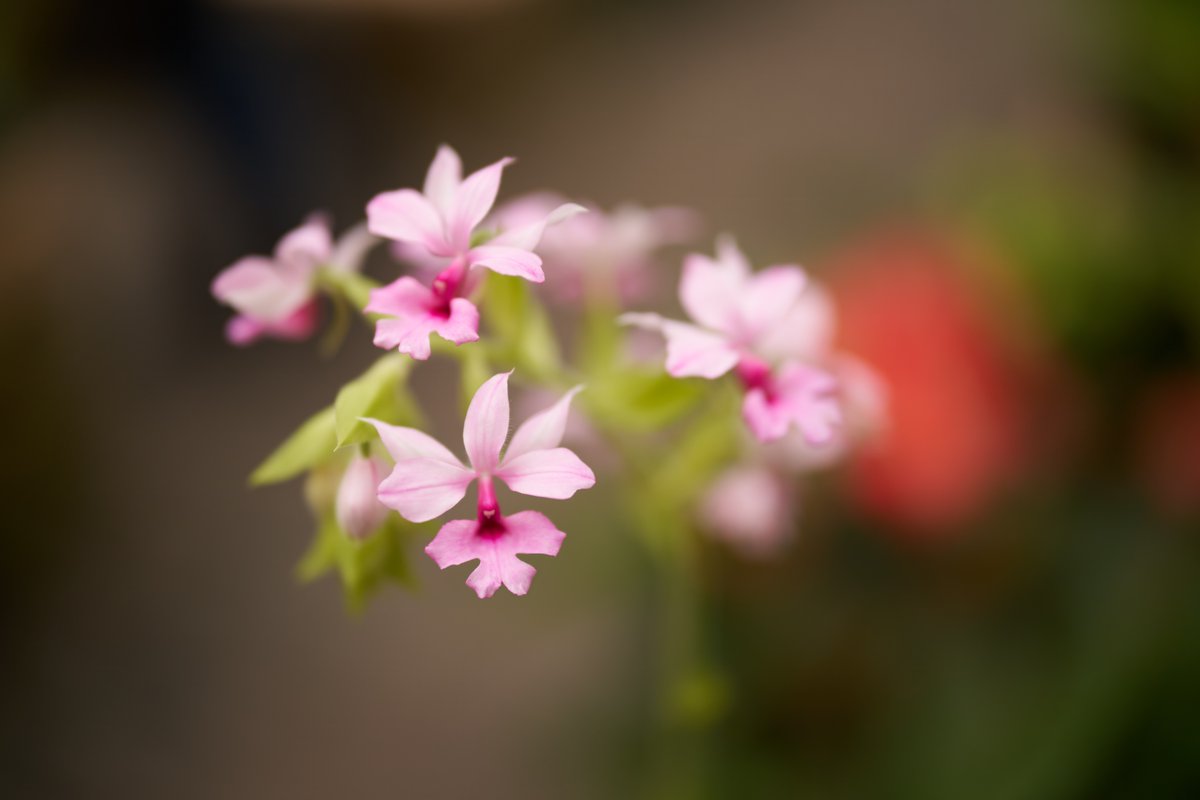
(380, 393)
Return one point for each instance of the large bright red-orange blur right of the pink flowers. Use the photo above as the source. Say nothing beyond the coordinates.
(959, 404)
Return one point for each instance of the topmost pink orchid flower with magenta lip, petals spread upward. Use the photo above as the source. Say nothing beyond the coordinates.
(445, 220)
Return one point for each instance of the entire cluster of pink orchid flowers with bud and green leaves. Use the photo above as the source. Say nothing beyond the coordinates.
(368, 455)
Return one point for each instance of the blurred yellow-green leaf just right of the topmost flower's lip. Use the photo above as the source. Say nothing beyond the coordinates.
(524, 336)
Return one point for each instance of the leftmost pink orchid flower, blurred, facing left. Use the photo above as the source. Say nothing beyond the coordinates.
(275, 297)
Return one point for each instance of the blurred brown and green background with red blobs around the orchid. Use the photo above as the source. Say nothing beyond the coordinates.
(1000, 600)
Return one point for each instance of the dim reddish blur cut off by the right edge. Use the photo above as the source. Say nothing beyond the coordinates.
(1169, 446)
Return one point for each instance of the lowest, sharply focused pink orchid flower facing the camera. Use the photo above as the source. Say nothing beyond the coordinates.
(429, 480)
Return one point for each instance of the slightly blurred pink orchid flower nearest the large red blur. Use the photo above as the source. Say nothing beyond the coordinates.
(766, 328)
